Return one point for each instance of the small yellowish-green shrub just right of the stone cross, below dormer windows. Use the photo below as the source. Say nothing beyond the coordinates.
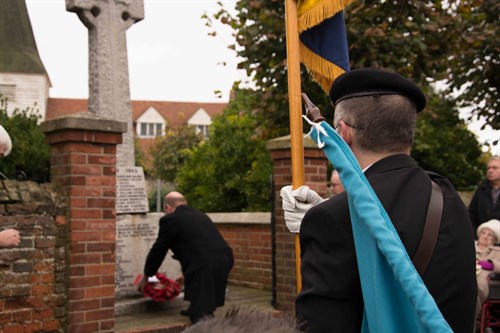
(171, 151)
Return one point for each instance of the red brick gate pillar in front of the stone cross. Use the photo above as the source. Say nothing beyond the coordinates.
(83, 159)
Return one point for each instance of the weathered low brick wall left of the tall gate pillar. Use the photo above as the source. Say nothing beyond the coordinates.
(33, 275)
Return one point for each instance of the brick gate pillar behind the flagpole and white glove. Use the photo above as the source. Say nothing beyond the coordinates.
(315, 176)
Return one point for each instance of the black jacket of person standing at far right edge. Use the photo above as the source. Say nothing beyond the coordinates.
(481, 208)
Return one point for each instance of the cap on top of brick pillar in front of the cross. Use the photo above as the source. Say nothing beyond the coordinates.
(84, 121)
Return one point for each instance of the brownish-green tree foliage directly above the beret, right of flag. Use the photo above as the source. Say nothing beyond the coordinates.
(410, 37)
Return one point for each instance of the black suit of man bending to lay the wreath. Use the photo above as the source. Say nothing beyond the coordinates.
(206, 259)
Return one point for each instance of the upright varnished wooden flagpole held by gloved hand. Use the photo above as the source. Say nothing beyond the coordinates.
(294, 97)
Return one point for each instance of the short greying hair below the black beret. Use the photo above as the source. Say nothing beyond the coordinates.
(384, 123)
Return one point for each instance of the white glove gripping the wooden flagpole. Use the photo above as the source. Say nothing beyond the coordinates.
(296, 203)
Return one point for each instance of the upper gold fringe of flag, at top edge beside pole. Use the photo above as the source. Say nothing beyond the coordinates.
(313, 12)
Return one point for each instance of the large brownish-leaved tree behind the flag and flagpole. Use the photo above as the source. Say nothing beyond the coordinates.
(413, 37)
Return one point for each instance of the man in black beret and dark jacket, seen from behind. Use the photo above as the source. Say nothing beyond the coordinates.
(375, 114)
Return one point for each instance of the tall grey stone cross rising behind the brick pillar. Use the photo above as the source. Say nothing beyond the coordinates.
(109, 91)
